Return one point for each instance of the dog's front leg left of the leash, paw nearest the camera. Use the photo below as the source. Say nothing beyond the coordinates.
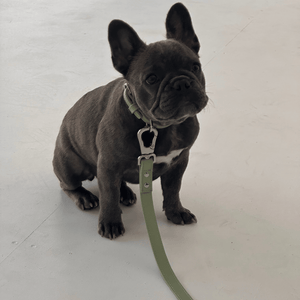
(110, 222)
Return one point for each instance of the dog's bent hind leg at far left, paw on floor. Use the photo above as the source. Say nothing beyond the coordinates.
(71, 170)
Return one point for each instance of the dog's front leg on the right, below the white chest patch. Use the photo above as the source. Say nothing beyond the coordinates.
(171, 183)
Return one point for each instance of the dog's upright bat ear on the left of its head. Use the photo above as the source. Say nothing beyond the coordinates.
(124, 44)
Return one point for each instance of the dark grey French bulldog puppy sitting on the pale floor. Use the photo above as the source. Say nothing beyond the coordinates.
(98, 136)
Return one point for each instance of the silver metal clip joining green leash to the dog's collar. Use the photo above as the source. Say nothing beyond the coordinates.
(147, 151)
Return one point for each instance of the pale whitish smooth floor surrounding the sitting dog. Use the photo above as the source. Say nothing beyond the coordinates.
(242, 181)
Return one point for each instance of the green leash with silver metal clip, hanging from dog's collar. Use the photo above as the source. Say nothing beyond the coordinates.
(145, 162)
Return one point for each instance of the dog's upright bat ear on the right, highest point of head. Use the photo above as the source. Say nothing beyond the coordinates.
(179, 27)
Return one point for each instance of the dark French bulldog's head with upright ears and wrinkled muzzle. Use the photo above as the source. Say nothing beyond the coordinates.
(165, 77)
